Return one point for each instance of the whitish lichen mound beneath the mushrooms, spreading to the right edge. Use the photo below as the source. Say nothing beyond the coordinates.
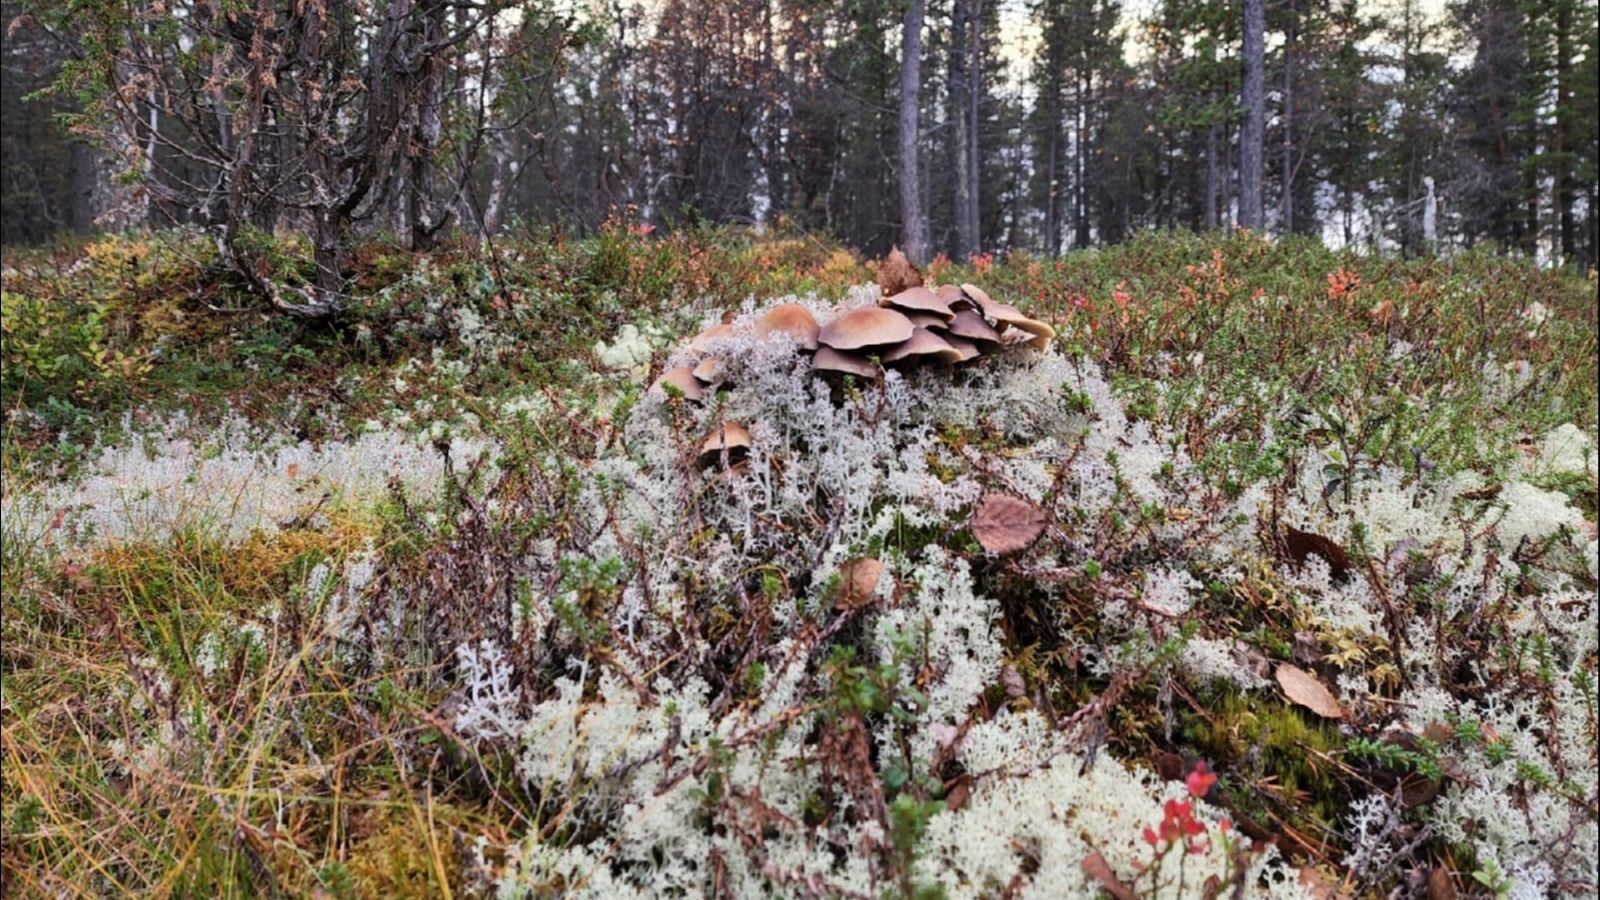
(703, 701)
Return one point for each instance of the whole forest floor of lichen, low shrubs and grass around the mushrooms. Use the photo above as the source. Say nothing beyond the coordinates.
(434, 600)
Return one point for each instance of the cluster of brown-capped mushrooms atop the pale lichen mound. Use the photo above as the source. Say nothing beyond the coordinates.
(948, 326)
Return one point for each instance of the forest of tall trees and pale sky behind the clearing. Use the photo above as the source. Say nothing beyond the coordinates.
(1042, 126)
